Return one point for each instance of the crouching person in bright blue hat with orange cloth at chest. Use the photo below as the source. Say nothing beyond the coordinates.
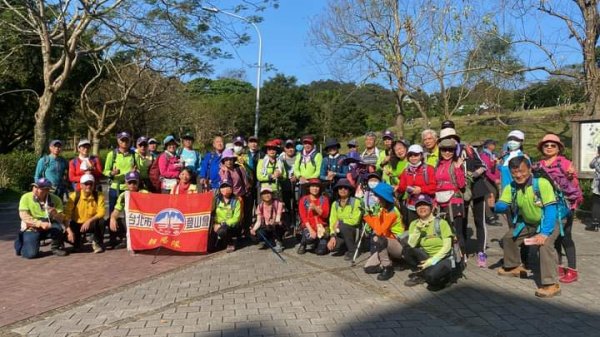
(387, 230)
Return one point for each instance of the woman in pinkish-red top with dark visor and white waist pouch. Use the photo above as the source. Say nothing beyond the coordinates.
(450, 178)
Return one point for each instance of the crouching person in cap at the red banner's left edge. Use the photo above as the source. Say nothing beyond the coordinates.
(117, 234)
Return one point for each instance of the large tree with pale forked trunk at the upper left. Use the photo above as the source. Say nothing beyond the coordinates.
(171, 32)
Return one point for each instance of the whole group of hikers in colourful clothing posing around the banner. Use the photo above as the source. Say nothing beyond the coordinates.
(404, 204)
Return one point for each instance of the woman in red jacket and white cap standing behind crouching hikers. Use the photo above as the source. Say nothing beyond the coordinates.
(417, 178)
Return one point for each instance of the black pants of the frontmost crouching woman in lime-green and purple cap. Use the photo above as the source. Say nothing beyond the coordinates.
(436, 275)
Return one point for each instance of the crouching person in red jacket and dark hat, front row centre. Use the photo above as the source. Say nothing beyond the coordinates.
(314, 210)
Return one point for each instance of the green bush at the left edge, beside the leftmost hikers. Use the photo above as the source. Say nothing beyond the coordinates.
(16, 170)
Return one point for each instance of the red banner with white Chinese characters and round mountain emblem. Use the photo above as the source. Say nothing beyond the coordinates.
(176, 221)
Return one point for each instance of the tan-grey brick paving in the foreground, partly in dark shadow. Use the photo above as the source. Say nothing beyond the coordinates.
(251, 293)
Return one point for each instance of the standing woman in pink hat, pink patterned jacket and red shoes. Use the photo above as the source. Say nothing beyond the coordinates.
(564, 176)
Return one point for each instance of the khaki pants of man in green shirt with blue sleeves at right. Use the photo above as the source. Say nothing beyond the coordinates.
(547, 252)
